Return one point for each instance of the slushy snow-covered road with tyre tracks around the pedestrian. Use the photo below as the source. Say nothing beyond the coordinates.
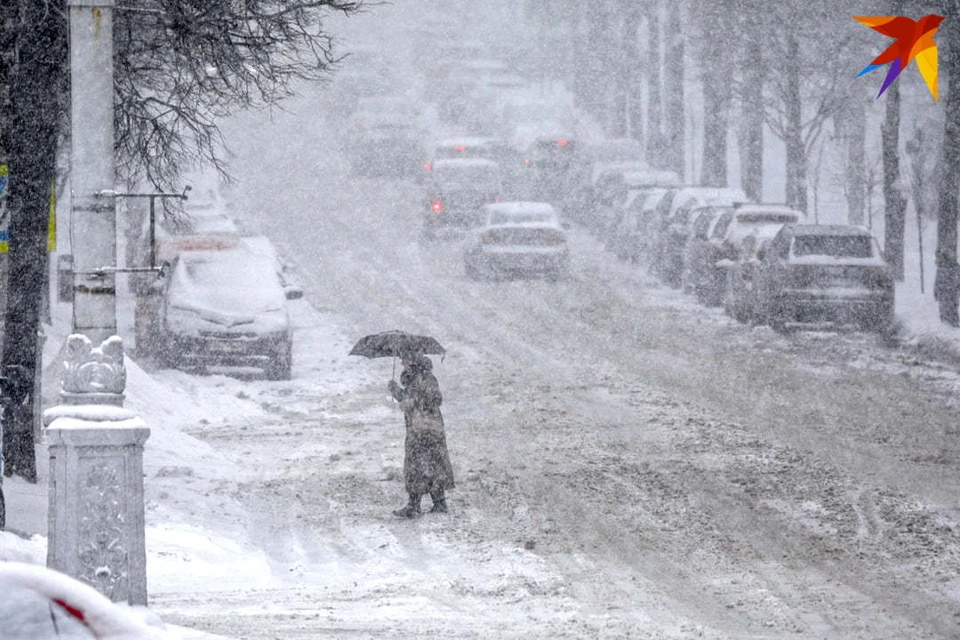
(629, 464)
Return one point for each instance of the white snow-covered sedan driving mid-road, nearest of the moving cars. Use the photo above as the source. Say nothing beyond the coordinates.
(525, 238)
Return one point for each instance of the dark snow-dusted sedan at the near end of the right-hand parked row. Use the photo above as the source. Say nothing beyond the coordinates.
(826, 273)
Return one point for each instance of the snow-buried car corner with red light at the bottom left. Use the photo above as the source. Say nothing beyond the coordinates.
(40, 603)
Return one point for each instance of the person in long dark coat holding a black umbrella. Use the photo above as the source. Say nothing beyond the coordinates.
(426, 461)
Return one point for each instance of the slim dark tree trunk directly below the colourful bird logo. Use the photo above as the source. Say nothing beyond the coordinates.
(895, 205)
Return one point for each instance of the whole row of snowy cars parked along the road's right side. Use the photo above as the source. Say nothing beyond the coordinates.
(762, 262)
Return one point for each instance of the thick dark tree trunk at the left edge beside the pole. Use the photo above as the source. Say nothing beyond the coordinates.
(29, 136)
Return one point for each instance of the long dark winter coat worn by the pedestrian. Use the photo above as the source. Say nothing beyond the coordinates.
(426, 462)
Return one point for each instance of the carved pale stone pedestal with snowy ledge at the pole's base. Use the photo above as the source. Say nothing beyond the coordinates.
(96, 515)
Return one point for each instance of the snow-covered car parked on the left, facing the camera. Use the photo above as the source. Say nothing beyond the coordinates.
(226, 308)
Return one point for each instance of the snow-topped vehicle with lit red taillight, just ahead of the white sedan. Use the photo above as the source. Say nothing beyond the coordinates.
(456, 192)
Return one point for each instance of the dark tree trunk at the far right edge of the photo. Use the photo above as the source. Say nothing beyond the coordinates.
(946, 285)
